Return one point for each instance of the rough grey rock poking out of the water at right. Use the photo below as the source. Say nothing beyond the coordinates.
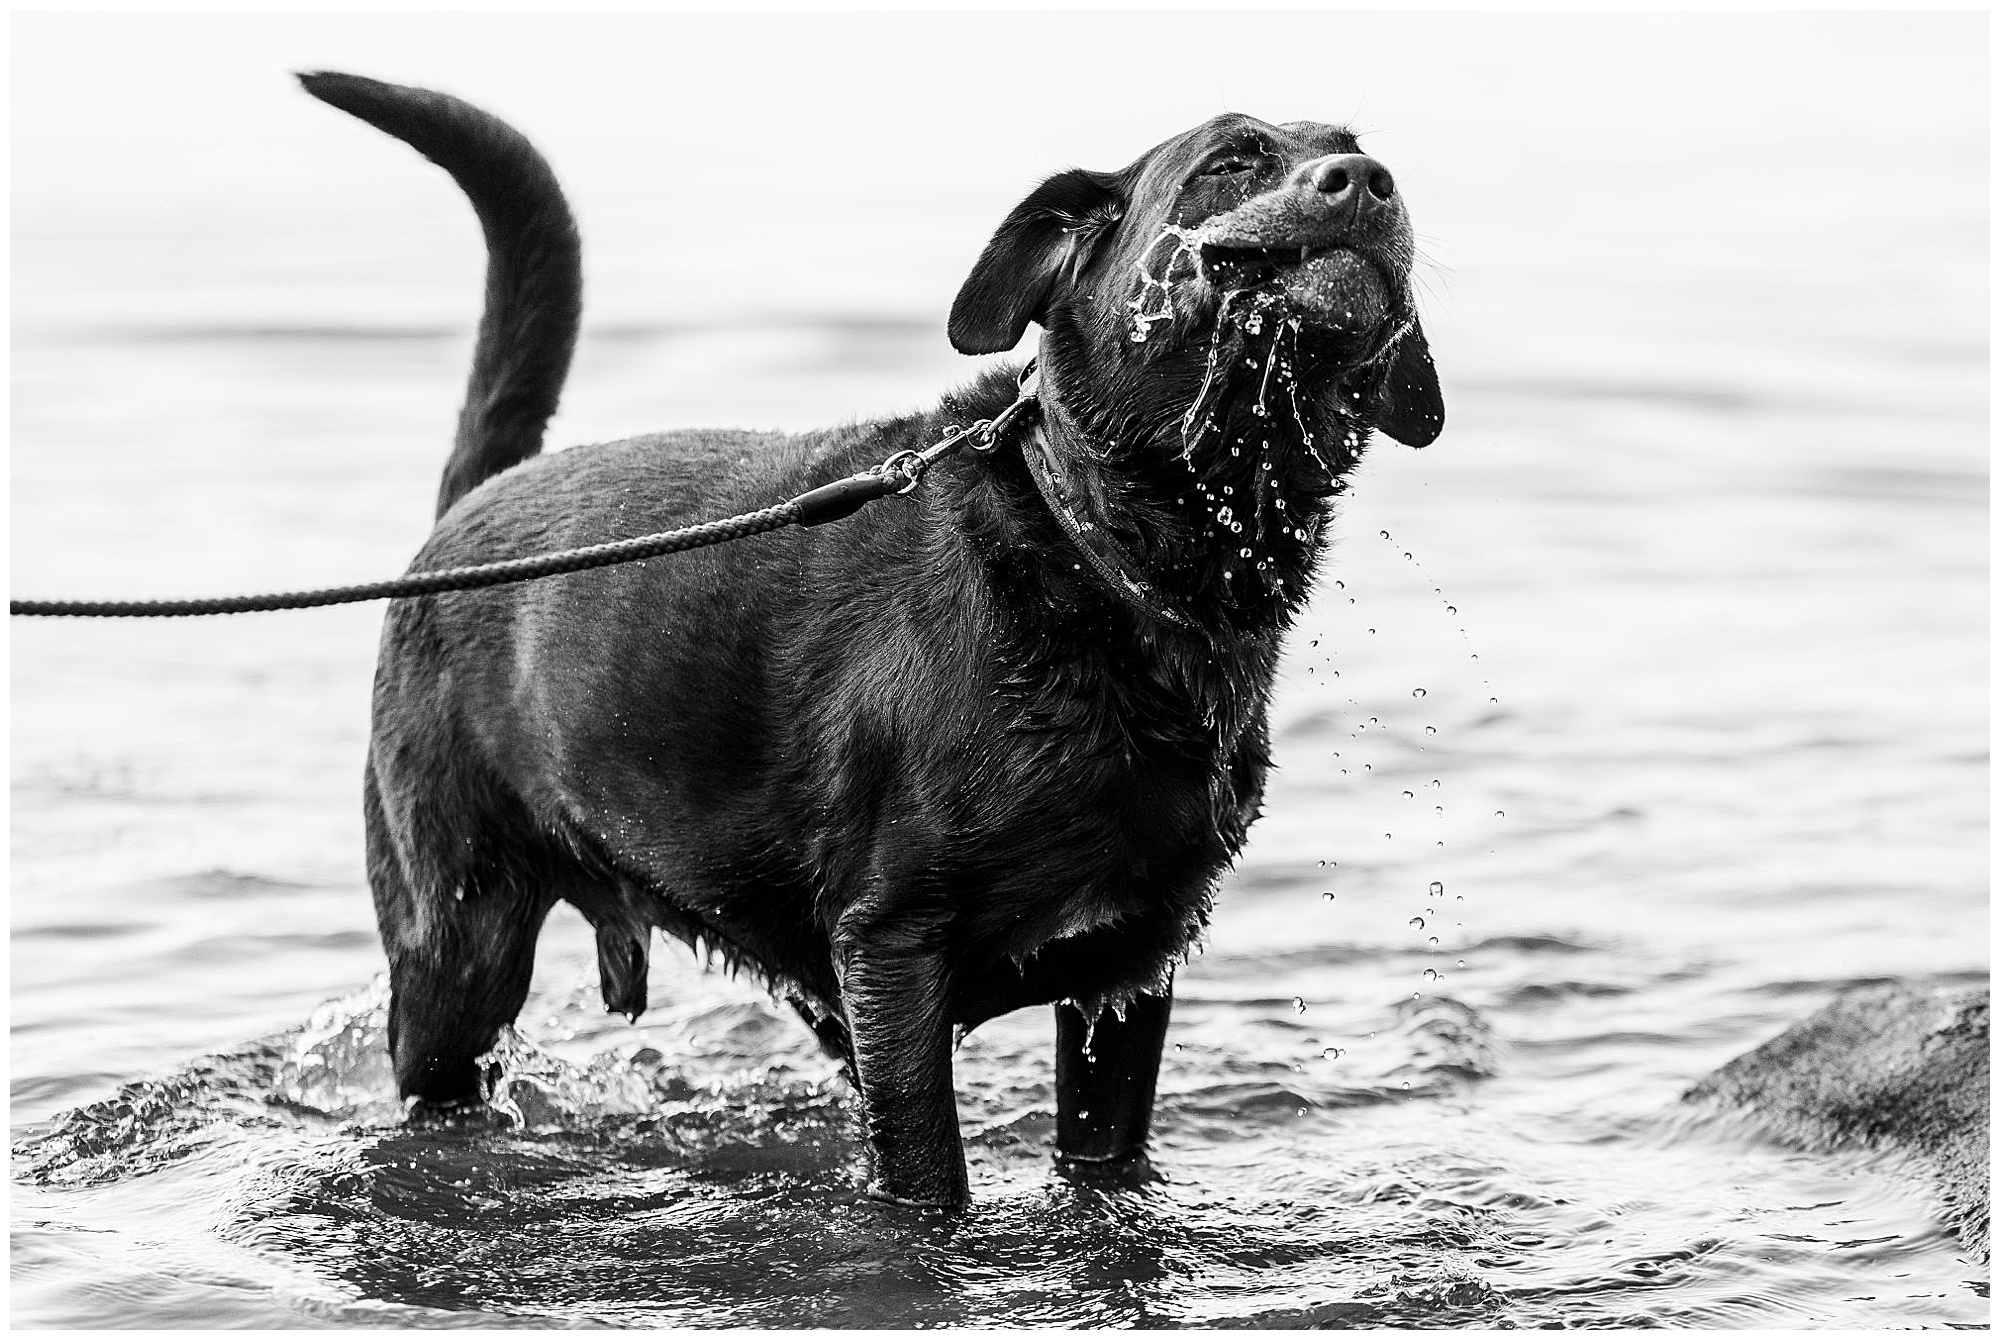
(1895, 1065)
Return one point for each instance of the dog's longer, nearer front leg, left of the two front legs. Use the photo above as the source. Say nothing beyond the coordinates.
(893, 985)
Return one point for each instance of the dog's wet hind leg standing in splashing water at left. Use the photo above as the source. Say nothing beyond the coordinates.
(459, 959)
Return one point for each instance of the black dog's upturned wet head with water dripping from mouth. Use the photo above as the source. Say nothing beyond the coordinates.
(1235, 265)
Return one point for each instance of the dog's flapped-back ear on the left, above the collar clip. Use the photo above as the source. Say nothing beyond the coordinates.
(1047, 235)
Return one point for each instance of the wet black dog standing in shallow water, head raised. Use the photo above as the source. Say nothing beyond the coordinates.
(971, 751)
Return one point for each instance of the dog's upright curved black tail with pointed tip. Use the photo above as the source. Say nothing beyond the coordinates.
(535, 273)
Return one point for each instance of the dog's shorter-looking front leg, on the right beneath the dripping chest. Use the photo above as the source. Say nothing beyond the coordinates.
(1105, 1079)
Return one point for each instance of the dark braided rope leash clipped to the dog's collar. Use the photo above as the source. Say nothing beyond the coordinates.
(829, 503)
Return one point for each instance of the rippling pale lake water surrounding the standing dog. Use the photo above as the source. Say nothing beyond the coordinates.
(1633, 721)
